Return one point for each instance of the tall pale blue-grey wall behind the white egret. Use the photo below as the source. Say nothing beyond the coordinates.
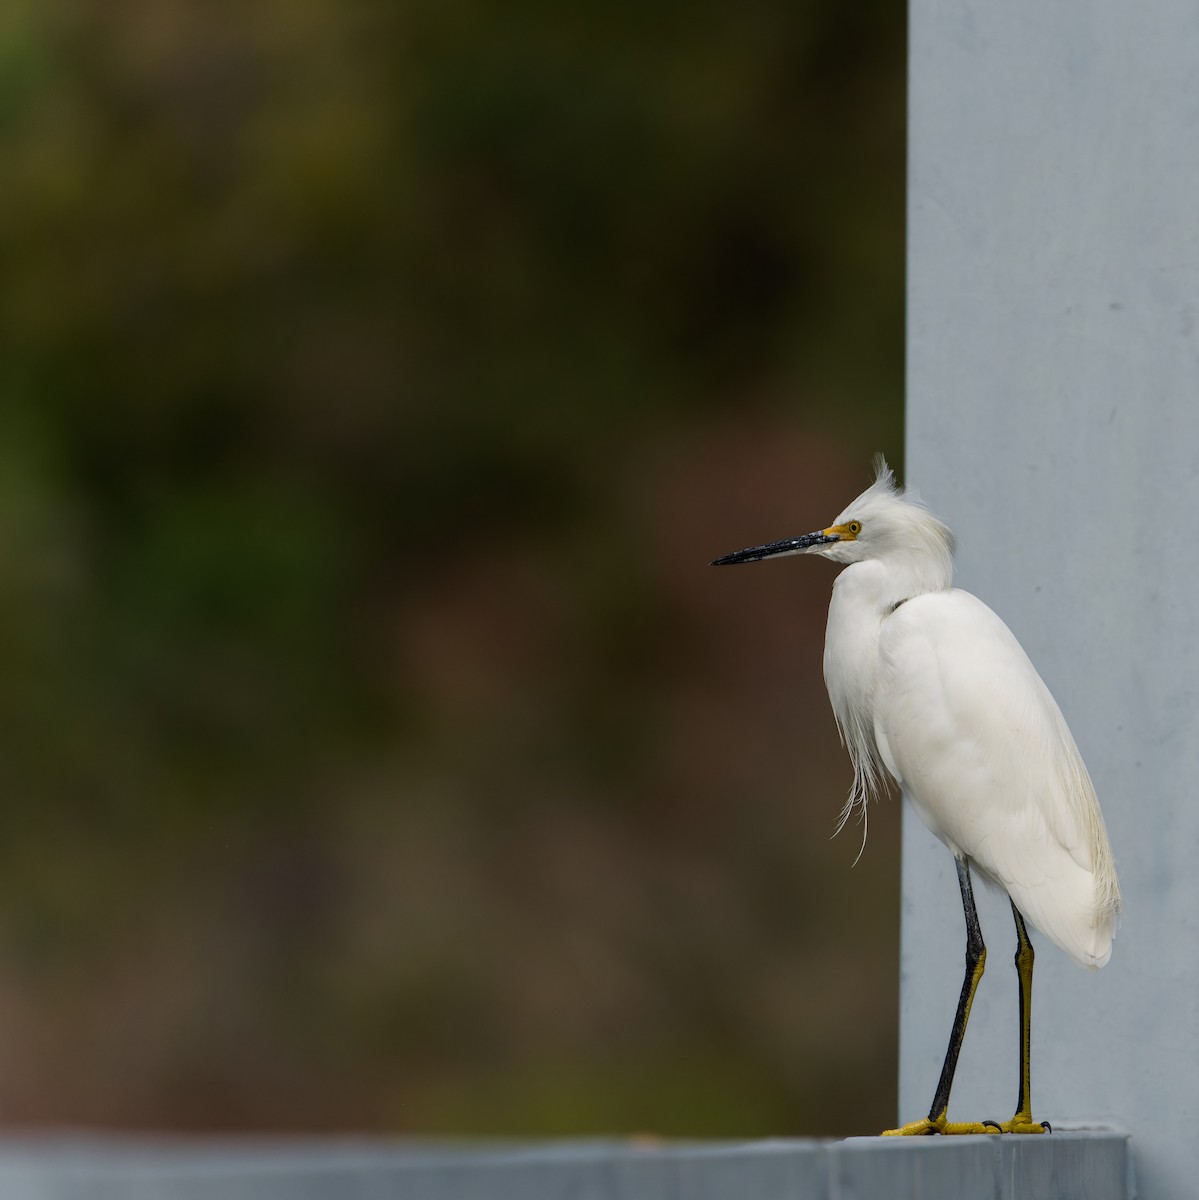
(1053, 407)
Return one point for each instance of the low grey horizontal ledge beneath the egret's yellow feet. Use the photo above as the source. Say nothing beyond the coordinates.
(1066, 1166)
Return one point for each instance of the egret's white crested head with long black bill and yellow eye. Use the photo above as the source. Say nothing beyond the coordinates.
(883, 524)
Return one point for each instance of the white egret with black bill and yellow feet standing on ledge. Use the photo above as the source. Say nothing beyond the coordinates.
(931, 689)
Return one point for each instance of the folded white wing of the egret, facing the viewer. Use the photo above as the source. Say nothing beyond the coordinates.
(986, 758)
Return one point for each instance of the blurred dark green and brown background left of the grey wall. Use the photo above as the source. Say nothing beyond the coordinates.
(377, 749)
